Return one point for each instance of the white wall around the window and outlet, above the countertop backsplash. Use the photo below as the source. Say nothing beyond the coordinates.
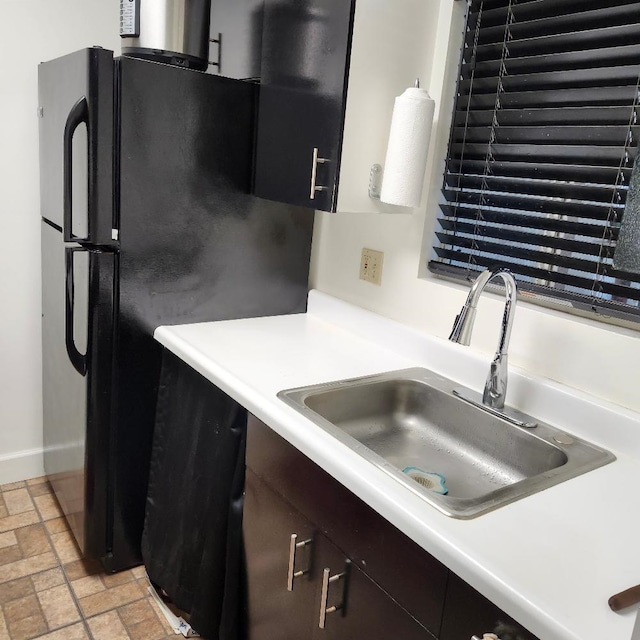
(597, 358)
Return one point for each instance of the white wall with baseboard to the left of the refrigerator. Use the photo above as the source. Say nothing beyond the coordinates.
(30, 31)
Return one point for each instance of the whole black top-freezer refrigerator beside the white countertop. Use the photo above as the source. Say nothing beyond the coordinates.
(147, 219)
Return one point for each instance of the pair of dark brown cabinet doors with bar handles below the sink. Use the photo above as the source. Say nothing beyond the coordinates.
(304, 587)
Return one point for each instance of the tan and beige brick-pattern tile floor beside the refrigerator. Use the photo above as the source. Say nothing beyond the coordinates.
(47, 591)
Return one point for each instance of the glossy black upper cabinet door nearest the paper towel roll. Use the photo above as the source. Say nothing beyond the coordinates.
(305, 50)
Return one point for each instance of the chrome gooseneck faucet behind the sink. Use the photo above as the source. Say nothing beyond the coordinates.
(495, 389)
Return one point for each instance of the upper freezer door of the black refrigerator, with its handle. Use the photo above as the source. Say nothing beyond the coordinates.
(75, 98)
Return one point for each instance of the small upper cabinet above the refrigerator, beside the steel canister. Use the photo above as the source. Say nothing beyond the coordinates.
(237, 25)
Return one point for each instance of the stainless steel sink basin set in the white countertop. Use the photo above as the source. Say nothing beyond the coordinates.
(415, 419)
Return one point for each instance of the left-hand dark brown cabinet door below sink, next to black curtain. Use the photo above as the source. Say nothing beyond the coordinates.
(279, 608)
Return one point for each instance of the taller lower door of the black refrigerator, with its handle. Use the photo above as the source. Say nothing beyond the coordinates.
(77, 336)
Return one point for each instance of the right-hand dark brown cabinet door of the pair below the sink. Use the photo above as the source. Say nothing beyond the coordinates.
(363, 610)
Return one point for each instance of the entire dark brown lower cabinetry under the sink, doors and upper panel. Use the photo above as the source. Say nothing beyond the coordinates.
(312, 546)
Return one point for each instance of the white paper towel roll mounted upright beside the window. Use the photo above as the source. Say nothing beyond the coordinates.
(407, 150)
